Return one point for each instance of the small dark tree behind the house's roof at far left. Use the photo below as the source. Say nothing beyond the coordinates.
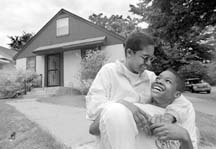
(17, 42)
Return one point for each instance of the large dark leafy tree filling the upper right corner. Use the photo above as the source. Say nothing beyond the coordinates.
(180, 28)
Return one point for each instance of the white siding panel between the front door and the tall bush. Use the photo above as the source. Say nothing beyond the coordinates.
(72, 61)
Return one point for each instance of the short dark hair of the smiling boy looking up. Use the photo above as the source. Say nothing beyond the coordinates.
(179, 80)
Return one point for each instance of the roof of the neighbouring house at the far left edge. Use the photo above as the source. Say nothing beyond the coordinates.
(6, 53)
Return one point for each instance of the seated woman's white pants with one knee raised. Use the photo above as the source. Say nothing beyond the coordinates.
(119, 131)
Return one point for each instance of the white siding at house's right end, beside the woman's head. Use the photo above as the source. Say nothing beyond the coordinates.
(114, 52)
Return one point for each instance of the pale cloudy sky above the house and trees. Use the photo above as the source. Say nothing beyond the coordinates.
(18, 16)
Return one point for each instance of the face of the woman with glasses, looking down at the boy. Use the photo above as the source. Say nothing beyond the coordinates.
(139, 61)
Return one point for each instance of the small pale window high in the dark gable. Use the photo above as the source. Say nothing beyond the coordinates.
(62, 27)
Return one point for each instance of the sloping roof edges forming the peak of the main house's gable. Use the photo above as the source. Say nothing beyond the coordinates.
(74, 16)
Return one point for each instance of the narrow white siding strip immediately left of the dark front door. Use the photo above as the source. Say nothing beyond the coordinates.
(40, 64)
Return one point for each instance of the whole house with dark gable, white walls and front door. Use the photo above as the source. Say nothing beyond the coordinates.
(55, 52)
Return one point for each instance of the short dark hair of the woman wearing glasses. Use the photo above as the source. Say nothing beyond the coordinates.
(136, 40)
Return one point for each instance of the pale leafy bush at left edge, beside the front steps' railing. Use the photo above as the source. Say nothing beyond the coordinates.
(12, 82)
